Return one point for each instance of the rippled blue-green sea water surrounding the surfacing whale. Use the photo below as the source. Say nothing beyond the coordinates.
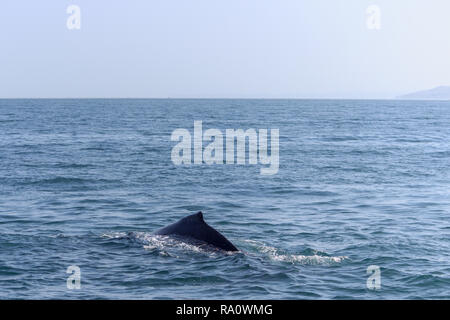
(360, 183)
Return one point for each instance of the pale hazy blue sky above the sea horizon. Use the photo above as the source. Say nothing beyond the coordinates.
(223, 49)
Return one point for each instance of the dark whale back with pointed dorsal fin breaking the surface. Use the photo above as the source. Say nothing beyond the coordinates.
(193, 227)
